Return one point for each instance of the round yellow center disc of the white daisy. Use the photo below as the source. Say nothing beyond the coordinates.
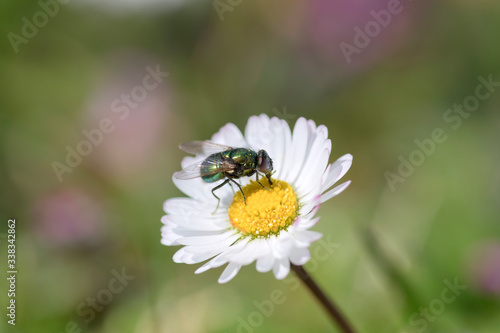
(268, 210)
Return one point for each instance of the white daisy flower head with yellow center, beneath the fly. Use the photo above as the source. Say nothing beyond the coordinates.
(273, 227)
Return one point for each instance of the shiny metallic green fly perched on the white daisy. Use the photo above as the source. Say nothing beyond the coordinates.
(225, 163)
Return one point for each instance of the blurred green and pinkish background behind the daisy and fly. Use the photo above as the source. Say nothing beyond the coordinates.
(227, 60)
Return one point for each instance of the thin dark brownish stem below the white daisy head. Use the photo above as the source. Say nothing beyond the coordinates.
(329, 306)
